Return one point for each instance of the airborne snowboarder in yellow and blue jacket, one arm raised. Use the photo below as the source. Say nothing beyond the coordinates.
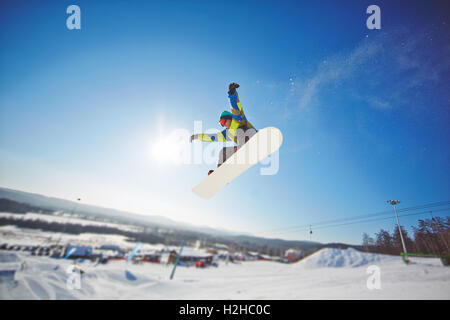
(237, 128)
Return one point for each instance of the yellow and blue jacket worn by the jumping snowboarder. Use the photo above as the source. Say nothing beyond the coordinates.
(238, 120)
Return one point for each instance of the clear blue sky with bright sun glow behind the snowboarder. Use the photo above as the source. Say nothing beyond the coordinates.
(364, 113)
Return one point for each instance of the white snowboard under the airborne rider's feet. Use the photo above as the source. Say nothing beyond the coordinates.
(262, 144)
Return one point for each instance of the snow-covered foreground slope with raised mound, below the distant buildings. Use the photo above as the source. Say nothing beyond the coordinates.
(327, 274)
